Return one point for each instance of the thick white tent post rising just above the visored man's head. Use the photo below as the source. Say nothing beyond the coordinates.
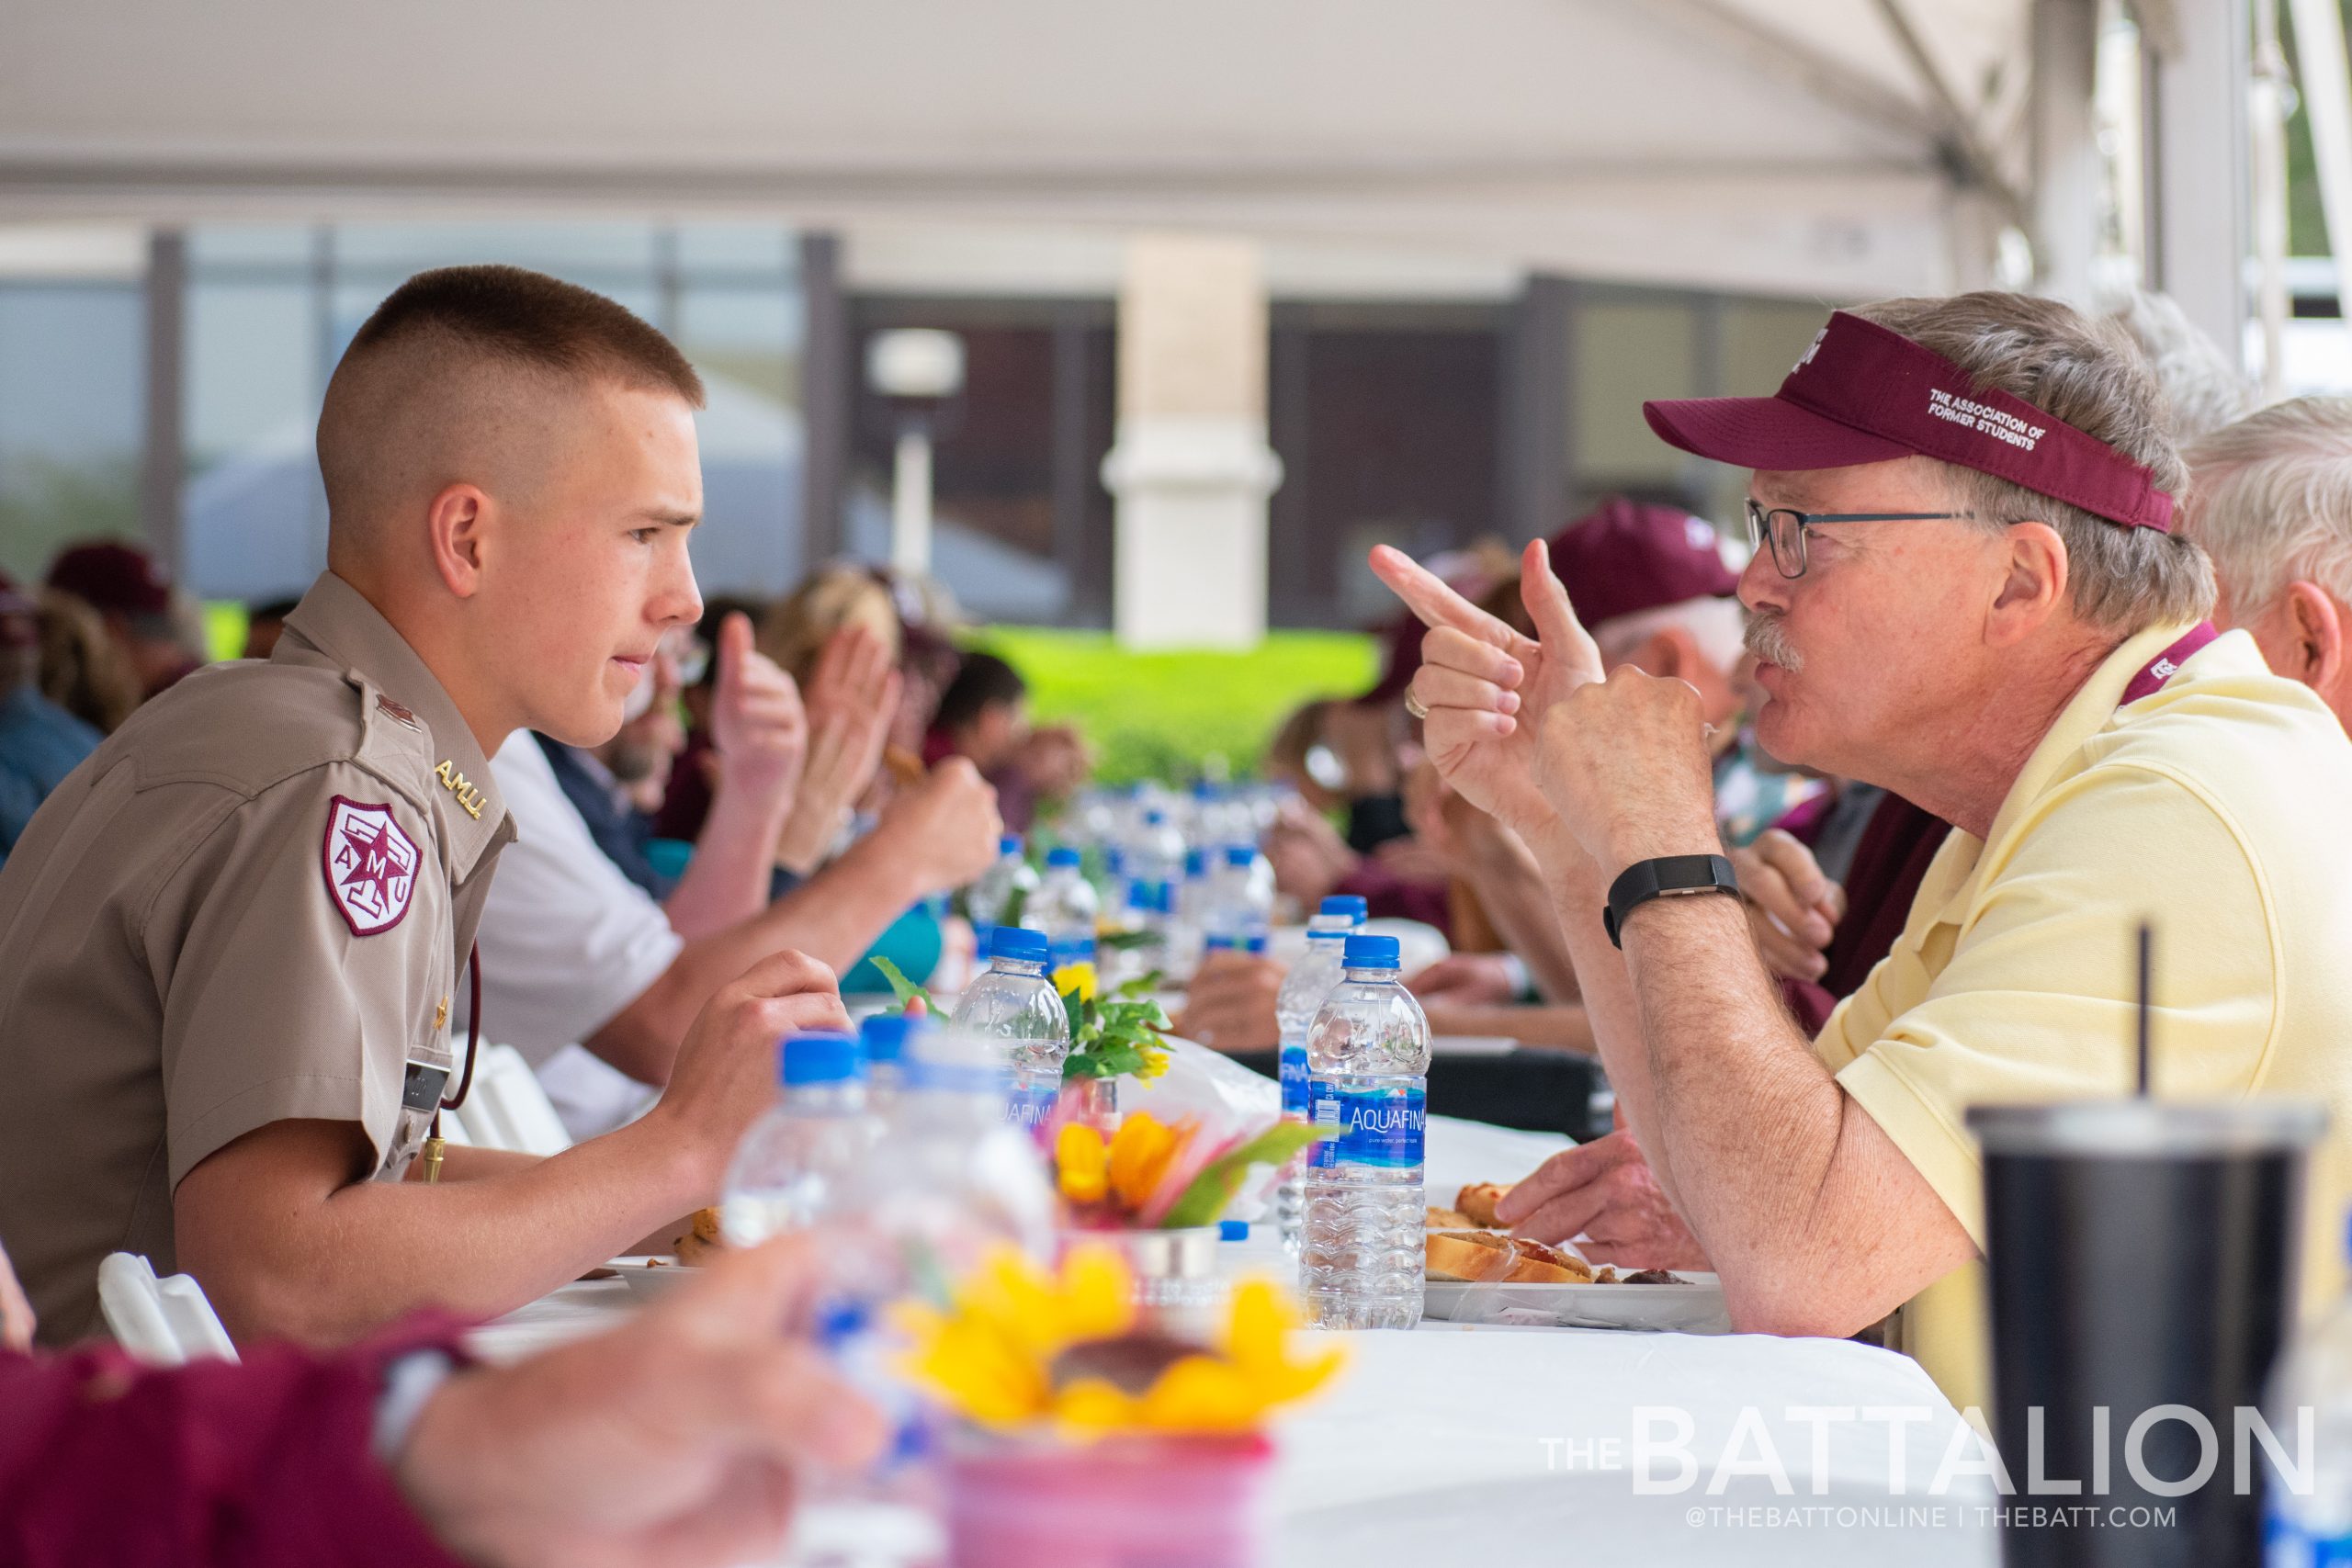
(2200, 170)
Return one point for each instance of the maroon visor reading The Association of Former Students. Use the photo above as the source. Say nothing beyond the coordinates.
(1864, 394)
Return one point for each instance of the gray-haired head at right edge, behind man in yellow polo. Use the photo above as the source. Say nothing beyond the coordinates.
(2273, 507)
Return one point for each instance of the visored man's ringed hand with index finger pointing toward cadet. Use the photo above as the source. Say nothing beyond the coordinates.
(1488, 688)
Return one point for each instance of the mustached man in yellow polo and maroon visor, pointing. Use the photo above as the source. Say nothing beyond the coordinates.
(1967, 591)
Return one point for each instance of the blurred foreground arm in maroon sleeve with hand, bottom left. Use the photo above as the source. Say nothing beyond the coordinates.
(676, 1435)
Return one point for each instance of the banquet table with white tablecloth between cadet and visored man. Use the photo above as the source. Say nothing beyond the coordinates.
(1483, 1445)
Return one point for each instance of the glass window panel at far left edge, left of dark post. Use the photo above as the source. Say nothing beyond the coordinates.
(72, 410)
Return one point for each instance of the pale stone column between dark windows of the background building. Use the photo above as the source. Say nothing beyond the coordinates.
(1191, 469)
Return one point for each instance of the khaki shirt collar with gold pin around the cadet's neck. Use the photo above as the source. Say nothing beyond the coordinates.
(338, 624)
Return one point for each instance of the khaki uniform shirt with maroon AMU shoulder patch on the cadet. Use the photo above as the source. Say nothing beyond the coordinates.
(250, 906)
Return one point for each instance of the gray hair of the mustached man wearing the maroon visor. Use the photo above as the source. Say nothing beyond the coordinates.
(2090, 375)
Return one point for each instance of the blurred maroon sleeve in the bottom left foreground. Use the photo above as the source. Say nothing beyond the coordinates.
(208, 1466)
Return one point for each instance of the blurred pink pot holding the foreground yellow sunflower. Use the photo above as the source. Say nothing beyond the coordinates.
(1121, 1503)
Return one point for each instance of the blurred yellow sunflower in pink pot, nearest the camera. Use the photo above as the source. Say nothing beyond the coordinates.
(1085, 1435)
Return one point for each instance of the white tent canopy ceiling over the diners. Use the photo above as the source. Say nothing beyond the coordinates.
(1812, 147)
